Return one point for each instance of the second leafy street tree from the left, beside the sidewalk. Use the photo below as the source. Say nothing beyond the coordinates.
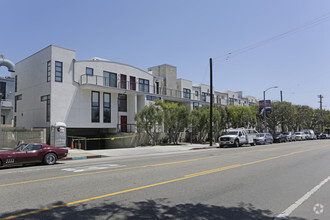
(176, 119)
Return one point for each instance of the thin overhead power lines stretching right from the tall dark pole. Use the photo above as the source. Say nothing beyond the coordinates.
(300, 28)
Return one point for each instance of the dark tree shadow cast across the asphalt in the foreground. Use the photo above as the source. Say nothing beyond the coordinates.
(149, 209)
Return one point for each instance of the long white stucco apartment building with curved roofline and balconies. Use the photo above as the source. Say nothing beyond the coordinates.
(96, 97)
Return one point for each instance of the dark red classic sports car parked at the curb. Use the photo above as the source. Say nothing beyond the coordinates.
(32, 153)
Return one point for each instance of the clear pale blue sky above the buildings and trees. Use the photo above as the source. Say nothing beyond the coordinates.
(186, 34)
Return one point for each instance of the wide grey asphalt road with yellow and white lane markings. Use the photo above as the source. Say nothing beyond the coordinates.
(279, 181)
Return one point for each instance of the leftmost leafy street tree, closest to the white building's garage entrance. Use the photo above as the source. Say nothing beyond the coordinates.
(150, 120)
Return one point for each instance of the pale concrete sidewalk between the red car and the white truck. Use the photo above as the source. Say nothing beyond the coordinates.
(76, 154)
